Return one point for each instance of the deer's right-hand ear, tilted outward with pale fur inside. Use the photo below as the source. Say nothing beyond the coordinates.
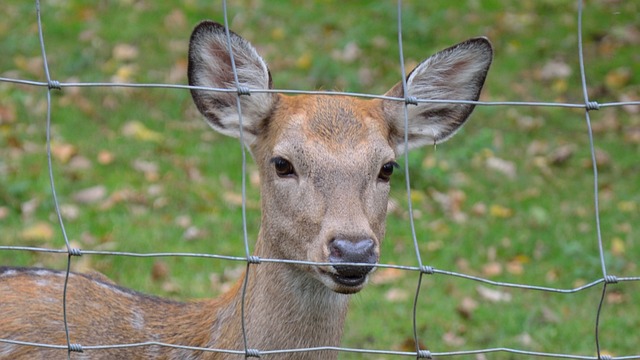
(456, 73)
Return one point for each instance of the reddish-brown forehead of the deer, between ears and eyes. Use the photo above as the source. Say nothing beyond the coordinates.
(330, 126)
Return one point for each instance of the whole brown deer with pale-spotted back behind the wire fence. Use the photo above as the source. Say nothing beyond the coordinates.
(325, 163)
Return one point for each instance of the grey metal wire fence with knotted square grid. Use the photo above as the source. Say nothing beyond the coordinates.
(605, 281)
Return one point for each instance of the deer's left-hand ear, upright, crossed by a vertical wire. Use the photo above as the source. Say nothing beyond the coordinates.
(210, 66)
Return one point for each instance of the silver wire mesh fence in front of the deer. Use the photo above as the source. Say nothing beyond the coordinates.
(240, 91)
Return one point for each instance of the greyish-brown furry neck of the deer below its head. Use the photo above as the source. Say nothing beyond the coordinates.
(284, 309)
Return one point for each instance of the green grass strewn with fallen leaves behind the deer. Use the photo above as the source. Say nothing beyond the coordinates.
(160, 180)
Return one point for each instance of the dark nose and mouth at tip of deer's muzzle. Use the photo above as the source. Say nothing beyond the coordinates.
(346, 251)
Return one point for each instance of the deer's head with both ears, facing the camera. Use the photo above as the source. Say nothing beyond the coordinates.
(325, 162)
